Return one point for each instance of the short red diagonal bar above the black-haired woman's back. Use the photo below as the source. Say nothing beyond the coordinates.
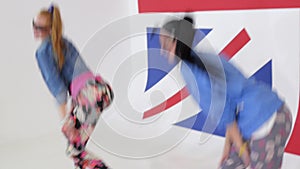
(236, 44)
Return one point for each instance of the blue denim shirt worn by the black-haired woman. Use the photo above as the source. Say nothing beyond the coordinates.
(255, 100)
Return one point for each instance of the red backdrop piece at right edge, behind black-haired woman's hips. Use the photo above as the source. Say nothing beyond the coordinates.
(293, 145)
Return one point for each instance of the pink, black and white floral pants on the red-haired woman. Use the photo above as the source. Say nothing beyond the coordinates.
(79, 125)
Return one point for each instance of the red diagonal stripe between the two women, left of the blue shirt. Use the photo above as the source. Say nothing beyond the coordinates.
(176, 98)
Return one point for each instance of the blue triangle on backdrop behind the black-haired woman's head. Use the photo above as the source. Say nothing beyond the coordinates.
(158, 66)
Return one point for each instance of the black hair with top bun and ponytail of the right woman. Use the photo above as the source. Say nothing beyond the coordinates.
(183, 31)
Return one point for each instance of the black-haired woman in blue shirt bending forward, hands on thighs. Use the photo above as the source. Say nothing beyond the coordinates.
(254, 120)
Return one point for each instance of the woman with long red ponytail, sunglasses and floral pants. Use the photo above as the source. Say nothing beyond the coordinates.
(65, 73)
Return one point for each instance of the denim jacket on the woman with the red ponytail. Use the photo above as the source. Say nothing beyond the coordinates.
(58, 82)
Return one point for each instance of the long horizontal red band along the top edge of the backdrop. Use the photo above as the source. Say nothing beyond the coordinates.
(205, 5)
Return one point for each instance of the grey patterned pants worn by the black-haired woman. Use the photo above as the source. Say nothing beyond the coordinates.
(267, 152)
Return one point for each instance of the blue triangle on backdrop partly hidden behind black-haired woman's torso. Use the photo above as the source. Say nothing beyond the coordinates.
(196, 122)
